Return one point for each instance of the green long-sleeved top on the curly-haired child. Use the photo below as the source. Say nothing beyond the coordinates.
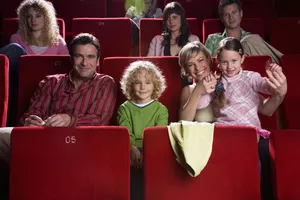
(136, 119)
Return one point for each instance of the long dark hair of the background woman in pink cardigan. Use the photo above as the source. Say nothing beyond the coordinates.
(170, 8)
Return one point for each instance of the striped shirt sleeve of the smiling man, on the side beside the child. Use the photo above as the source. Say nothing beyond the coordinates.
(101, 110)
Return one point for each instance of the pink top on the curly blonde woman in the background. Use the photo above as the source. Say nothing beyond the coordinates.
(61, 48)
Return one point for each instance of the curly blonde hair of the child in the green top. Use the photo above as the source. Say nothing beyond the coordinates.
(136, 68)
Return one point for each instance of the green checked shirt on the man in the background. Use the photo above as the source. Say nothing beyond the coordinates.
(213, 40)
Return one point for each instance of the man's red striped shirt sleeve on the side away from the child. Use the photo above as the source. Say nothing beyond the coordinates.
(40, 101)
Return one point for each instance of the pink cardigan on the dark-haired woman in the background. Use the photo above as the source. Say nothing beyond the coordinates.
(157, 49)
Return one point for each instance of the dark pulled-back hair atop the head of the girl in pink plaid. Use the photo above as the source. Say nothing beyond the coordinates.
(230, 43)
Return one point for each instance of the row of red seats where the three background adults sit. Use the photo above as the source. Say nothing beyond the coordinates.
(107, 30)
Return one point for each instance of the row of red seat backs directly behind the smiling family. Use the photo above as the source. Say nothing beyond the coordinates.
(114, 66)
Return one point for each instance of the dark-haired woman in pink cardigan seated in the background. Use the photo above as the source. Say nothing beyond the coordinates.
(175, 35)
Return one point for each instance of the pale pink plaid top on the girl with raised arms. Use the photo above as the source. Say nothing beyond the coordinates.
(242, 99)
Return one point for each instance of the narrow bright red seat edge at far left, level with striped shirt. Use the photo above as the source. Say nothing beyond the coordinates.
(4, 68)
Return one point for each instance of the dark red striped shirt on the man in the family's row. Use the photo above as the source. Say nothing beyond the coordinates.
(91, 104)
